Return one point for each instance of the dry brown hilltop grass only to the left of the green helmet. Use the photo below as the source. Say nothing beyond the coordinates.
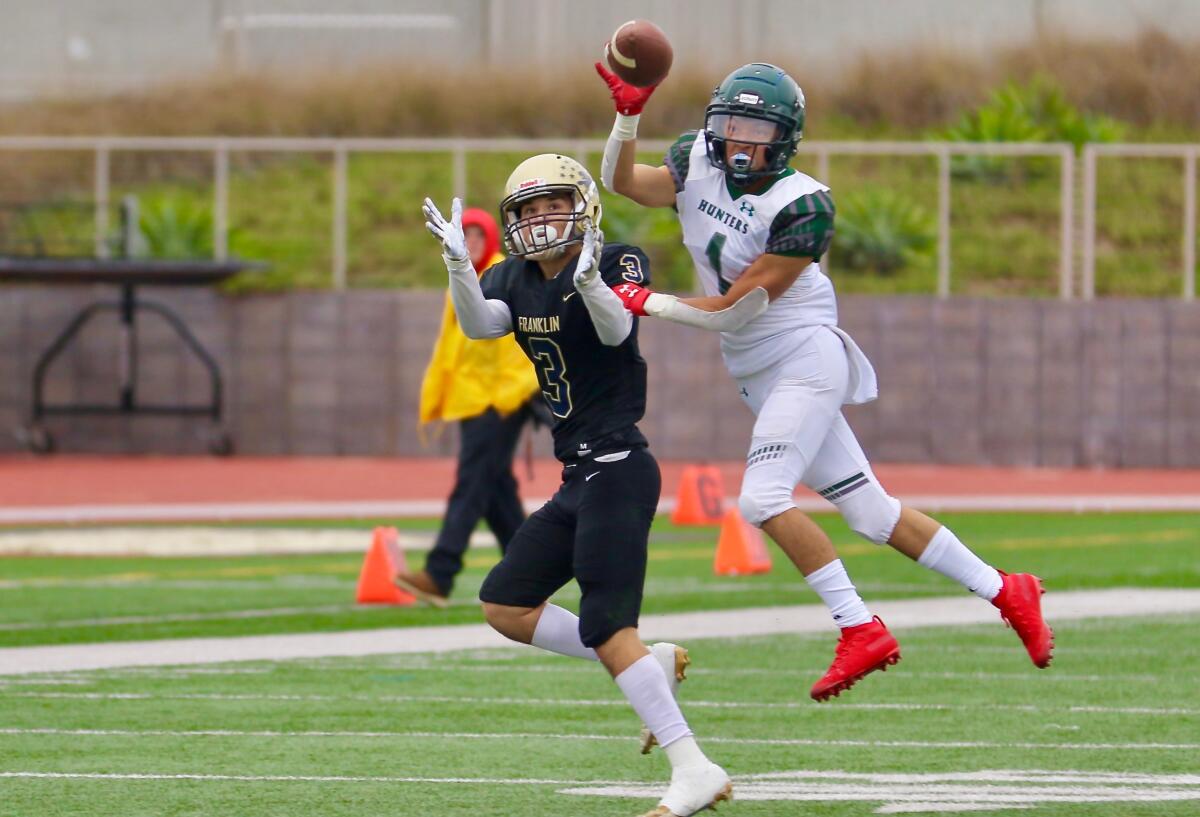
(379, 101)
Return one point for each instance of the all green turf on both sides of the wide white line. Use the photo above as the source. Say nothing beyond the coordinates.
(1112, 730)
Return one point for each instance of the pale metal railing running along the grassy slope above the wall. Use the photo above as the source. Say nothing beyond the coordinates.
(459, 149)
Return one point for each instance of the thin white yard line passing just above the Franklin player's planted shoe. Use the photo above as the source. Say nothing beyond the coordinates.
(621, 738)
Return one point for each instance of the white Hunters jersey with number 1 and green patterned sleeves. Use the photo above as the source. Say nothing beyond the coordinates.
(727, 231)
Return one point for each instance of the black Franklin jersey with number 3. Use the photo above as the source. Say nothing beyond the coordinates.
(597, 393)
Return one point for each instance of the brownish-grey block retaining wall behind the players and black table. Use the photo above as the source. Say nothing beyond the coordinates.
(1009, 382)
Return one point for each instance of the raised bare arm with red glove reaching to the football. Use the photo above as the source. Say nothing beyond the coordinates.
(650, 187)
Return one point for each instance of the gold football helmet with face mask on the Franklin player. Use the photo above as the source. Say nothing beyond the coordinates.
(543, 238)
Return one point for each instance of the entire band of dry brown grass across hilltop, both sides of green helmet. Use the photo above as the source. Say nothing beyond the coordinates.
(1149, 81)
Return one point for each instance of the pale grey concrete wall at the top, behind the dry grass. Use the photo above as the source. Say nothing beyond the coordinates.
(104, 45)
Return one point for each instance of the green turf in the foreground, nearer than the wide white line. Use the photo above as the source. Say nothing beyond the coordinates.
(508, 732)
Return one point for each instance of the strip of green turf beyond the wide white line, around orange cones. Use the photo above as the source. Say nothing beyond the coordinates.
(56, 600)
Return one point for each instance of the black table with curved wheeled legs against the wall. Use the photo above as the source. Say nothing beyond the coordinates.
(129, 275)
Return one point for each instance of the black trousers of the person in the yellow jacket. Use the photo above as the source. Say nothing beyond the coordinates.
(484, 489)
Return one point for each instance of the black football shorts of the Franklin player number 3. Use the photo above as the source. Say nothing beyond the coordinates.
(595, 530)
